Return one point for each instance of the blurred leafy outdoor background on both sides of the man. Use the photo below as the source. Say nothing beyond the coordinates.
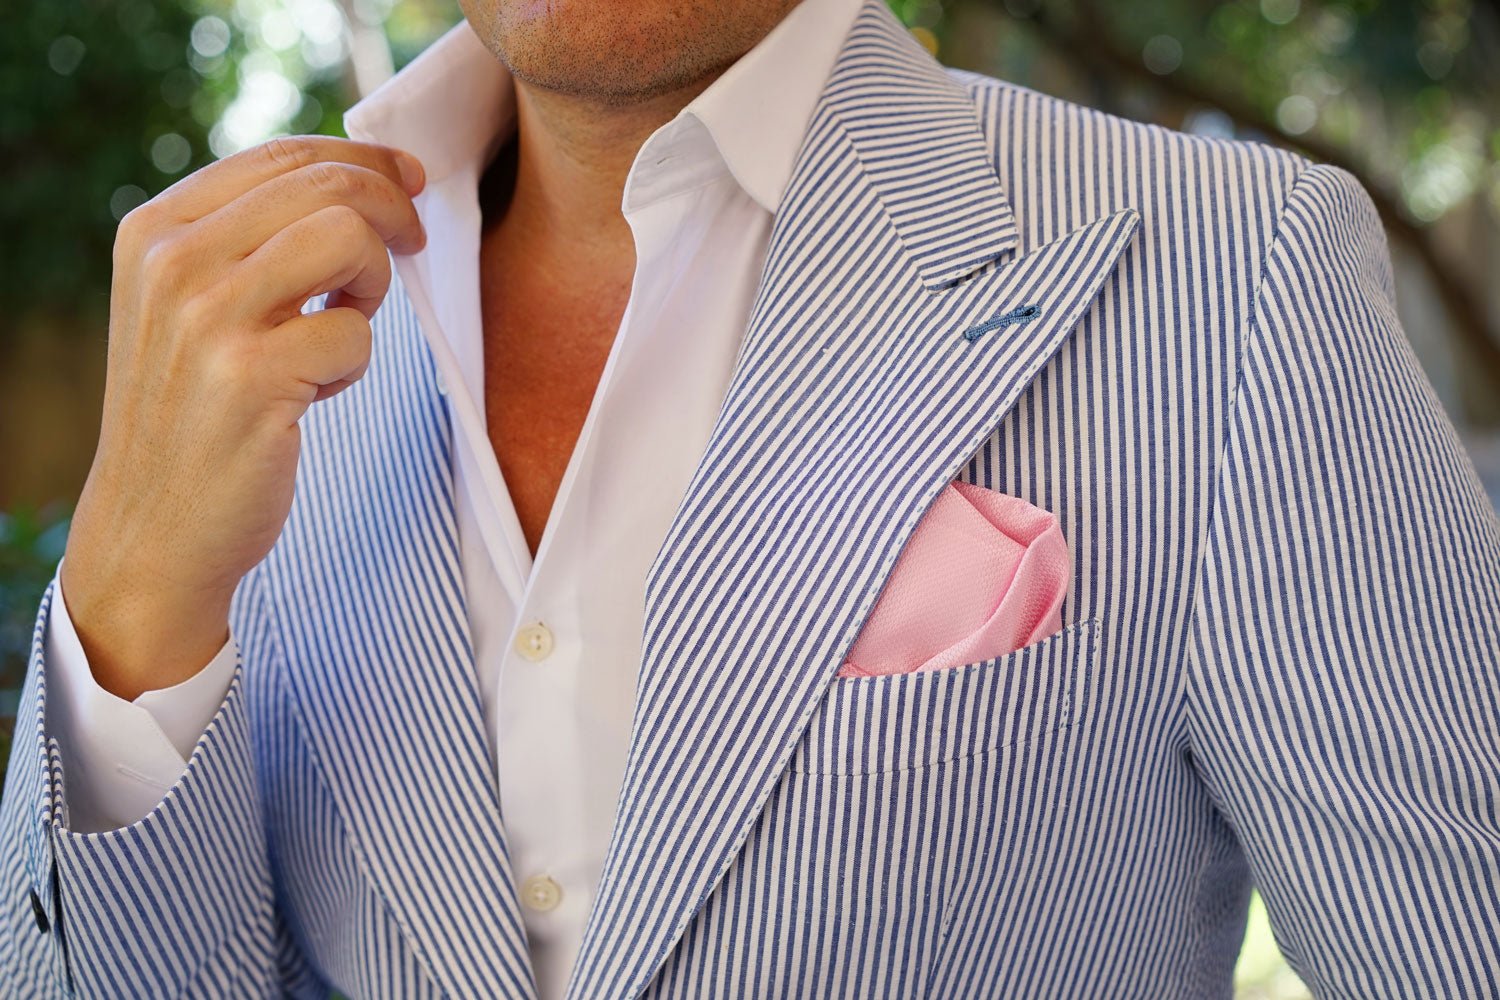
(107, 103)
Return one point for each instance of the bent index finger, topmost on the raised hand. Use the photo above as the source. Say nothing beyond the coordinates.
(220, 184)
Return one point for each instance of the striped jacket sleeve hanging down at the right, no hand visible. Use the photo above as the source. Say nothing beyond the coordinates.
(1345, 650)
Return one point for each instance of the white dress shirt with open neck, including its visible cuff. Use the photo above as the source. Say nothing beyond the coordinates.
(557, 638)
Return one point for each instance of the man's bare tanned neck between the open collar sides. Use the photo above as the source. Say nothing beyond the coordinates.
(572, 161)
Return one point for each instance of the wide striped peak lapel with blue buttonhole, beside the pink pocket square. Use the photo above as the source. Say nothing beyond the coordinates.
(856, 400)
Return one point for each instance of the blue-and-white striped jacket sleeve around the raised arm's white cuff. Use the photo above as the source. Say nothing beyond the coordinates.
(163, 908)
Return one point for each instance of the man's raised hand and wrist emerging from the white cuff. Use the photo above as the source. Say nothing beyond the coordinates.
(211, 367)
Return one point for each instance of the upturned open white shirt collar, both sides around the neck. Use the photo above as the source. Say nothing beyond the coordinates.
(454, 106)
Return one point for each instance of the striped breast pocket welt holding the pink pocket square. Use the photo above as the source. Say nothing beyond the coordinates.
(914, 720)
